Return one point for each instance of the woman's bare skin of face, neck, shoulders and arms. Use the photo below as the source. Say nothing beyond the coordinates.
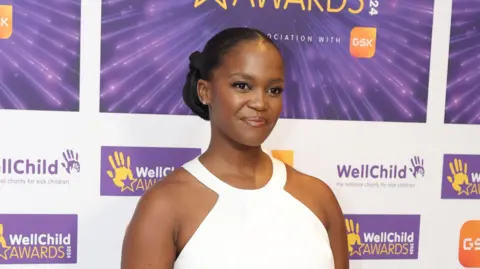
(245, 99)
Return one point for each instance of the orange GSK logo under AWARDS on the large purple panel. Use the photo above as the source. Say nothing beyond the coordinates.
(363, 42)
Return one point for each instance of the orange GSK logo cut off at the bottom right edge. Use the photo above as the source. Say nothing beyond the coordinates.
(469, 244)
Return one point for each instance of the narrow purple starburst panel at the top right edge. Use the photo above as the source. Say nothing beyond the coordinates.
(463, 89)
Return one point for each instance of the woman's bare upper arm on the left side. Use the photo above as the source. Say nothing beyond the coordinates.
(149, 241)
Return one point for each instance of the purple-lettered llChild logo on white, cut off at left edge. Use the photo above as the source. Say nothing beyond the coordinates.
(40, 170)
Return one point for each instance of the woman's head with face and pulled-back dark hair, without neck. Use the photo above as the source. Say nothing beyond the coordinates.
(224, 84)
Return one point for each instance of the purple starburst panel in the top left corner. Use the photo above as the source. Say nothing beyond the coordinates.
(39, 63)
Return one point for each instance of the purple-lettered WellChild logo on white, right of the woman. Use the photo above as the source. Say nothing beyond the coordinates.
(381, 175)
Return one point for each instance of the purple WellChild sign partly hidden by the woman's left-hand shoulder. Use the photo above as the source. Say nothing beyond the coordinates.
(130, 171)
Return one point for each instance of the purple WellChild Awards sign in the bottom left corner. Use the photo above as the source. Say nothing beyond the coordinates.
(38, 239)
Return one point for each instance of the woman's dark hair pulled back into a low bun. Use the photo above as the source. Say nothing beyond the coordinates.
(203, 63)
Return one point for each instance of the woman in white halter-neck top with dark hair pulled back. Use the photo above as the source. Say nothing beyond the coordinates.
(235, 206)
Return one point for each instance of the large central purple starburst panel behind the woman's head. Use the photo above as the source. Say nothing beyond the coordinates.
(146, 44)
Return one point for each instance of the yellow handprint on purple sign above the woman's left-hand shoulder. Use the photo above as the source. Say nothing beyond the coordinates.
(122, 175)
